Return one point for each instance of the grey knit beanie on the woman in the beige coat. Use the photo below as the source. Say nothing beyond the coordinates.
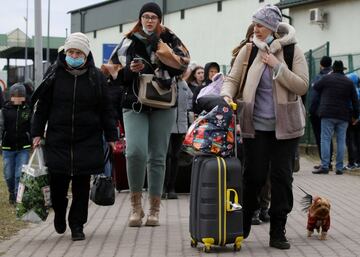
(269, 16)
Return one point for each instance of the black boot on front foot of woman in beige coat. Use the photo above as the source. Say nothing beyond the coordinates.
(277, 234)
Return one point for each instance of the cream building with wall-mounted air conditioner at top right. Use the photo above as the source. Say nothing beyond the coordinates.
(316, 22)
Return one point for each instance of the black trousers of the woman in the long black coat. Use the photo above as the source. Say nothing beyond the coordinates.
(80, 186)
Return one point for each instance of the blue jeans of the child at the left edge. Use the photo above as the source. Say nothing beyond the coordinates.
(13, 161)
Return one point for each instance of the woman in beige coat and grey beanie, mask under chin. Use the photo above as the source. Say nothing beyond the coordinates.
(272, 118)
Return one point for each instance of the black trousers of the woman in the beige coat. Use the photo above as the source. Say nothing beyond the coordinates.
(264, 154)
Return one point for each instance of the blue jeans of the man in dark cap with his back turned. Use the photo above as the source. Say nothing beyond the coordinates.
(328, 127)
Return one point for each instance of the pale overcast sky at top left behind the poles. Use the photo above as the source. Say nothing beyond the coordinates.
(13, 13)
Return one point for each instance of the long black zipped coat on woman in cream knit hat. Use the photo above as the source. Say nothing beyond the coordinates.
(78, 111)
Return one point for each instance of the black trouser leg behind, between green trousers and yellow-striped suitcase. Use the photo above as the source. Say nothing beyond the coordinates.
(172, 158)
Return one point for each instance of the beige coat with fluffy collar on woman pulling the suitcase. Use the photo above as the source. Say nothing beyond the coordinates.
(288, 86)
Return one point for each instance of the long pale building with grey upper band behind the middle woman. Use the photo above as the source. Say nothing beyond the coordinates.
(209, 29)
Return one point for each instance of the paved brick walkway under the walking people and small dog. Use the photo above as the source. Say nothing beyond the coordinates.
(108, 234)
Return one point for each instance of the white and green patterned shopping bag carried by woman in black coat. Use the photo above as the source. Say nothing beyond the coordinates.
(33, 197)
